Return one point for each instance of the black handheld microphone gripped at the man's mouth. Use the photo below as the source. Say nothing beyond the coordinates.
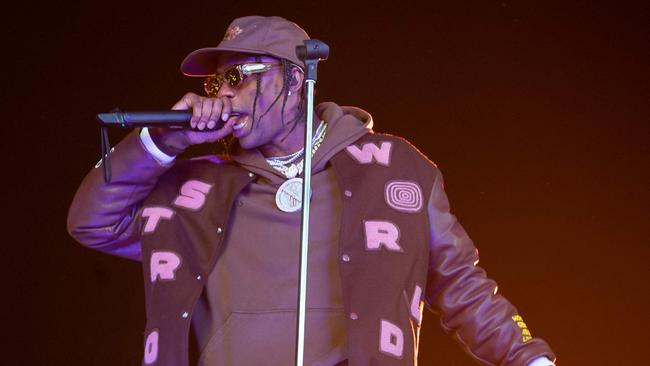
(169, 119)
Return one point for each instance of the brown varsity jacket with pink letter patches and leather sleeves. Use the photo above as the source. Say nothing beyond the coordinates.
(400, 249)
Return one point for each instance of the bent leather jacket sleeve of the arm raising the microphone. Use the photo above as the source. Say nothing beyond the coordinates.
(105, 216)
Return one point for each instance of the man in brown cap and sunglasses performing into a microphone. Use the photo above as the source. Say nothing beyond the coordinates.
(219, 236)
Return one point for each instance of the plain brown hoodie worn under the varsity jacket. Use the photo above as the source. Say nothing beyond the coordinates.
(249, 301)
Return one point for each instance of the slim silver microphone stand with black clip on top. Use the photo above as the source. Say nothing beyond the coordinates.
(311, 52)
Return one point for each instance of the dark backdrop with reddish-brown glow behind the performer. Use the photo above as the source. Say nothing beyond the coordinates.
(535, 111)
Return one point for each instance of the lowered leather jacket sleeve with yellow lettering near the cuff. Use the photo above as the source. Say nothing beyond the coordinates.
(483, 321)
